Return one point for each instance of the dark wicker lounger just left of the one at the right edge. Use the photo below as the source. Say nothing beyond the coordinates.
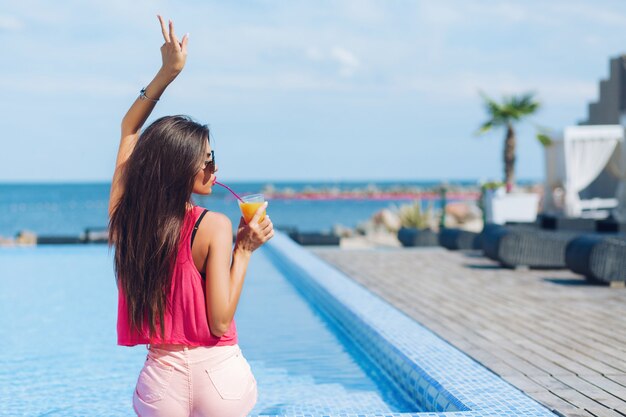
(525, 246)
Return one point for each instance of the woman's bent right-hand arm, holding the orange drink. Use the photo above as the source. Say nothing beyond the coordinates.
(224, 279)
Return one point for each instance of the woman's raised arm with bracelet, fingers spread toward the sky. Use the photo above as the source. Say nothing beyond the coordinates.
(173, 54)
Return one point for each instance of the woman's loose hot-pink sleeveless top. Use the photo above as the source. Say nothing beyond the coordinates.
(186, 322)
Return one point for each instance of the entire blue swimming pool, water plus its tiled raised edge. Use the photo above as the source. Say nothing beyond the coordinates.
(58, 307)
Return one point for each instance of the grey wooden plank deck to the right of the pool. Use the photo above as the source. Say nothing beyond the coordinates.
(549, 333)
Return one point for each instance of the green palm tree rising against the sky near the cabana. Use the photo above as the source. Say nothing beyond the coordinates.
(511, 111)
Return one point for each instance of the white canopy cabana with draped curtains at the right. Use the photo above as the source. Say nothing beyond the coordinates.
(586, 155)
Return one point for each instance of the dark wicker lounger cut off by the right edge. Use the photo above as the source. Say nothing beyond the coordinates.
(599, 258)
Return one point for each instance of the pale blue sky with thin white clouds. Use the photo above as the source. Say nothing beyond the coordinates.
(300, 90)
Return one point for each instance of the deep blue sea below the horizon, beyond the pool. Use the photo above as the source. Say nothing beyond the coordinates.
(70, 208)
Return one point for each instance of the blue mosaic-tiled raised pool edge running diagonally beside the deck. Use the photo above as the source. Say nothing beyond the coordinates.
(422, 364)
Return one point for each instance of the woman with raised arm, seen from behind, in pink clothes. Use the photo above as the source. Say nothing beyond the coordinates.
(179, 278)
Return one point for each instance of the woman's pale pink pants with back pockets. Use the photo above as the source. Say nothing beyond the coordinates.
(213, 381)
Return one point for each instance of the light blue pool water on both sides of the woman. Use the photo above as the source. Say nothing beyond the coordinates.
(58, 310)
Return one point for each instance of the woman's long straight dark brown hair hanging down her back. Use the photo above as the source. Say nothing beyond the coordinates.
(146, 223)
